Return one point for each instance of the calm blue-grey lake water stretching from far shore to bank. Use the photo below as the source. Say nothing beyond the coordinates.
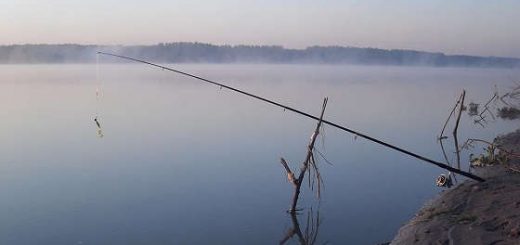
(182, 162)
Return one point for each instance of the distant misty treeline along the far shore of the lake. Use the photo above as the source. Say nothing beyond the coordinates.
(208, 53)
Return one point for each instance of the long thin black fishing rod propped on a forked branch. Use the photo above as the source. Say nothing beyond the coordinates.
(377, 141)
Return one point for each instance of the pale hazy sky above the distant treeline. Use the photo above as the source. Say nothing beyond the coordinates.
(480, 27)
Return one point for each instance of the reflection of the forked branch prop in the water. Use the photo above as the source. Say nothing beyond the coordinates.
(312, 225)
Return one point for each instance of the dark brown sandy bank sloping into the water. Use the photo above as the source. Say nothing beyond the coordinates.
(473, 213)
